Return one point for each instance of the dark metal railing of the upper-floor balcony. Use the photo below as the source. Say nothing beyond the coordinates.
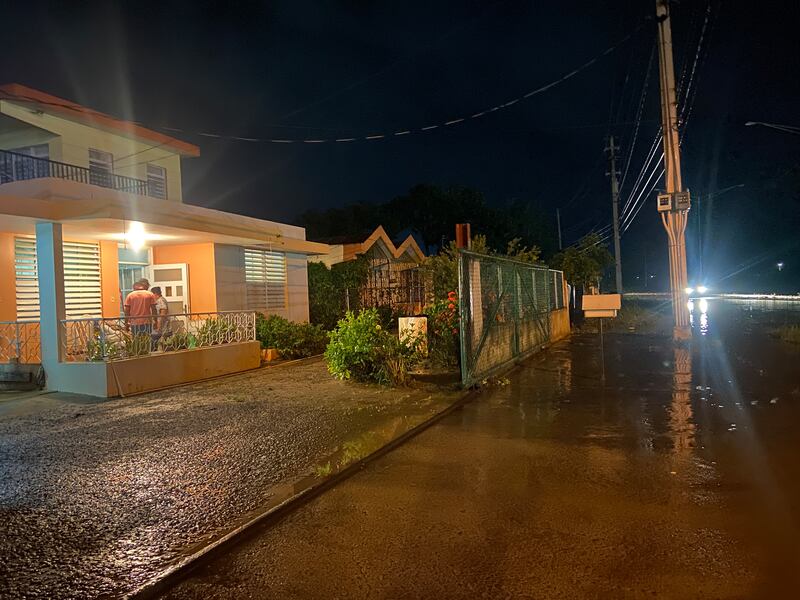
(21, 167)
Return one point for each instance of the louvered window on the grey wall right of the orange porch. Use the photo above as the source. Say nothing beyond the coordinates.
(265, 277)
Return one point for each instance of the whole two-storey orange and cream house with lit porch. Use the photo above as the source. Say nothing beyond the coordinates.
(90, 203)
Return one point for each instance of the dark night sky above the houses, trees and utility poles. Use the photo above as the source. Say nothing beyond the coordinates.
(321, 70)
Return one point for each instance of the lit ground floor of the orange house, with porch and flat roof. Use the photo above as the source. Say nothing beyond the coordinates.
(68, 264)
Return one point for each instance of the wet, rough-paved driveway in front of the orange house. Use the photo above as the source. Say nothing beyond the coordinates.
(98, 497)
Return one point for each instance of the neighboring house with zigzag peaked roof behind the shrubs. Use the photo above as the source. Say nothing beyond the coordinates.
(394, 278)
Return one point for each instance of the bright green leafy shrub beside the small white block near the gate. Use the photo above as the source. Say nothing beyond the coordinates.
(362, 349)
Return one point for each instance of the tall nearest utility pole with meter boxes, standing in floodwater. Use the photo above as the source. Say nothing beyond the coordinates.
(673, 206)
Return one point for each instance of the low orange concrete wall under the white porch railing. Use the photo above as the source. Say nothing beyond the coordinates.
(146, 373)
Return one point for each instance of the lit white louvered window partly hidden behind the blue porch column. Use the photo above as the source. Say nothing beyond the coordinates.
(82, 291)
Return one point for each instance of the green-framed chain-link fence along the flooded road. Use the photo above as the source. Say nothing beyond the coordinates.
(505, 308)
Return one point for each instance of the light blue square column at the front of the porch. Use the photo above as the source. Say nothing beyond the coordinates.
(52, 307)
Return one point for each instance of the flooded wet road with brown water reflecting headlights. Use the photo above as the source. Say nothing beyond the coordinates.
(678, 478)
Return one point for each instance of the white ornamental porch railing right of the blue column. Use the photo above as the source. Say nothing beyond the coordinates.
(106, 340)
